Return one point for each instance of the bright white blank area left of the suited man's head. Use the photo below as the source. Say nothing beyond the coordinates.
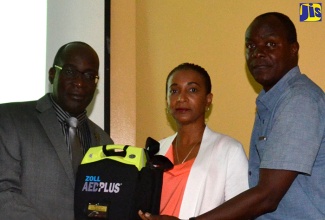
(27, 49)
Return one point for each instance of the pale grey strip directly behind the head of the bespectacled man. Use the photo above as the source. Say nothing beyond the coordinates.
(78, 20)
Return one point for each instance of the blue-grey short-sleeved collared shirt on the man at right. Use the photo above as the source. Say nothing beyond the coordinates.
(288, 134)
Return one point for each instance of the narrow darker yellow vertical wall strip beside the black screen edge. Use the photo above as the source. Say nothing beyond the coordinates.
(123, 72)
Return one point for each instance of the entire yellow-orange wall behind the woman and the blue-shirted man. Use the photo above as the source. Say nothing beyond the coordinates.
(154, 36)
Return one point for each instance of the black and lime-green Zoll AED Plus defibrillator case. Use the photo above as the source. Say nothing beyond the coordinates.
(115, 181)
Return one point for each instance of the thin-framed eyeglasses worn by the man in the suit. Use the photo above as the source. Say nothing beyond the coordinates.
(72, 73)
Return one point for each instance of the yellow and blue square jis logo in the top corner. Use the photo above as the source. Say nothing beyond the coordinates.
(310, 12)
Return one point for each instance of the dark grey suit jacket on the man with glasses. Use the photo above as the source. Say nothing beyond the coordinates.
(36, 176)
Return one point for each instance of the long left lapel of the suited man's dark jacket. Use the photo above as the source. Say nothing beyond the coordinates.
(52, 127)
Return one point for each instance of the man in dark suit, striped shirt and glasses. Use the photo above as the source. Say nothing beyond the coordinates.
(36, 173)
